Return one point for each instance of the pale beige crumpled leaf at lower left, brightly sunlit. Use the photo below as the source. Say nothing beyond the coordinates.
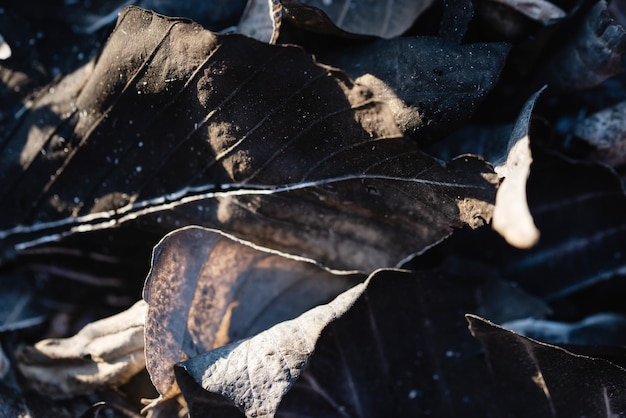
(105, 353)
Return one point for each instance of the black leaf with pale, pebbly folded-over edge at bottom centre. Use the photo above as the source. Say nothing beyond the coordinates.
(396, 345)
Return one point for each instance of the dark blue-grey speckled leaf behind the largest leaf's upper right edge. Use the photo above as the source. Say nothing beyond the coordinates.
(432, 85)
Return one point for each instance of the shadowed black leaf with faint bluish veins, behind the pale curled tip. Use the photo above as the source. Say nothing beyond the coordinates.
(579, 209)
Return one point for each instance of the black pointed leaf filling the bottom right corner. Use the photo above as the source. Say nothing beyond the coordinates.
(553, 381)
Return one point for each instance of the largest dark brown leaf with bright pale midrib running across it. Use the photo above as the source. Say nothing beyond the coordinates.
(177, 125)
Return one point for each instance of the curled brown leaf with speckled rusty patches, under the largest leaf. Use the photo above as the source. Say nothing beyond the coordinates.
(206, 289)
